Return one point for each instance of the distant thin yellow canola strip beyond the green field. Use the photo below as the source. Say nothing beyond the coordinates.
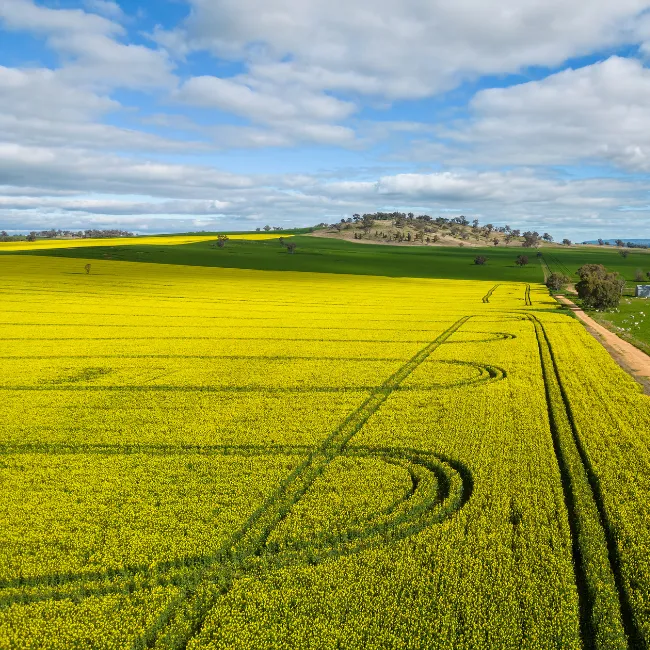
(164, 240)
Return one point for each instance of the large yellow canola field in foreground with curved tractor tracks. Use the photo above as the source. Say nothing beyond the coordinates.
(223, 458)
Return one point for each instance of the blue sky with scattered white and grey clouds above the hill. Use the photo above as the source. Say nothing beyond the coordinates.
(230, 114)
